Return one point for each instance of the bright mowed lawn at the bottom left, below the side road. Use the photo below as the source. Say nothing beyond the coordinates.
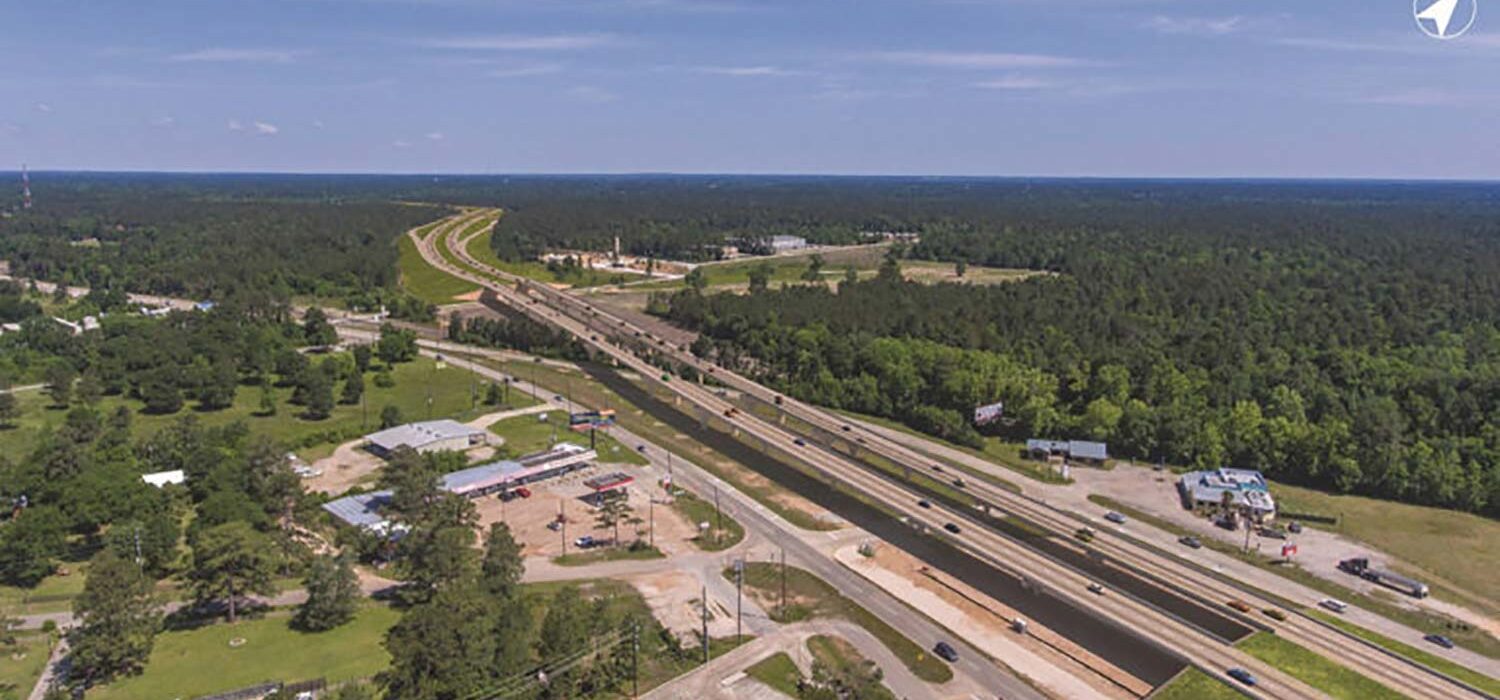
(202, 662)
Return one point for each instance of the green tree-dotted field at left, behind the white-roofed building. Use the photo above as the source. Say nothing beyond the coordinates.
(449, 390)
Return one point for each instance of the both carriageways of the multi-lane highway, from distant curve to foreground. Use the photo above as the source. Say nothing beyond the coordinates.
(598, 329)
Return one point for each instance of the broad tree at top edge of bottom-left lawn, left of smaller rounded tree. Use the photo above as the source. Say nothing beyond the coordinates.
(232, 561)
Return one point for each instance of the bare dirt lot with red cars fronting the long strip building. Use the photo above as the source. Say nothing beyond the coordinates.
(529, 518)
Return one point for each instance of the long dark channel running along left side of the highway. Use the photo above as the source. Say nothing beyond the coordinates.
(1127, 651)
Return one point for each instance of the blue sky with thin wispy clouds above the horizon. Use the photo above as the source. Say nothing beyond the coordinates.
(934, 88)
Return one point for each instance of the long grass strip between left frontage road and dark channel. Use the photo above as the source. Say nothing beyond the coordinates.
(637, 420)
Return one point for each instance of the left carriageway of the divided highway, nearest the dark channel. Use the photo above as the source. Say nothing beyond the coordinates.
(595, 329)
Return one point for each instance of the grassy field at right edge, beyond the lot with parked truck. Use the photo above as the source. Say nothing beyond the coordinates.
(1447, 546)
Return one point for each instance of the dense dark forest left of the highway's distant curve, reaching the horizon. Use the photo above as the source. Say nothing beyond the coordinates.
(203, 238)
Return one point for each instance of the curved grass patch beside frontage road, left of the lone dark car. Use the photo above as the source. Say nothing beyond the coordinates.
(812, 597)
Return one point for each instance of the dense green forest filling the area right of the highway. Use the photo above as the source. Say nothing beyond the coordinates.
(1343, 340)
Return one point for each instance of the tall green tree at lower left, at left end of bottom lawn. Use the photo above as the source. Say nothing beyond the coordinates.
(118, 621)
